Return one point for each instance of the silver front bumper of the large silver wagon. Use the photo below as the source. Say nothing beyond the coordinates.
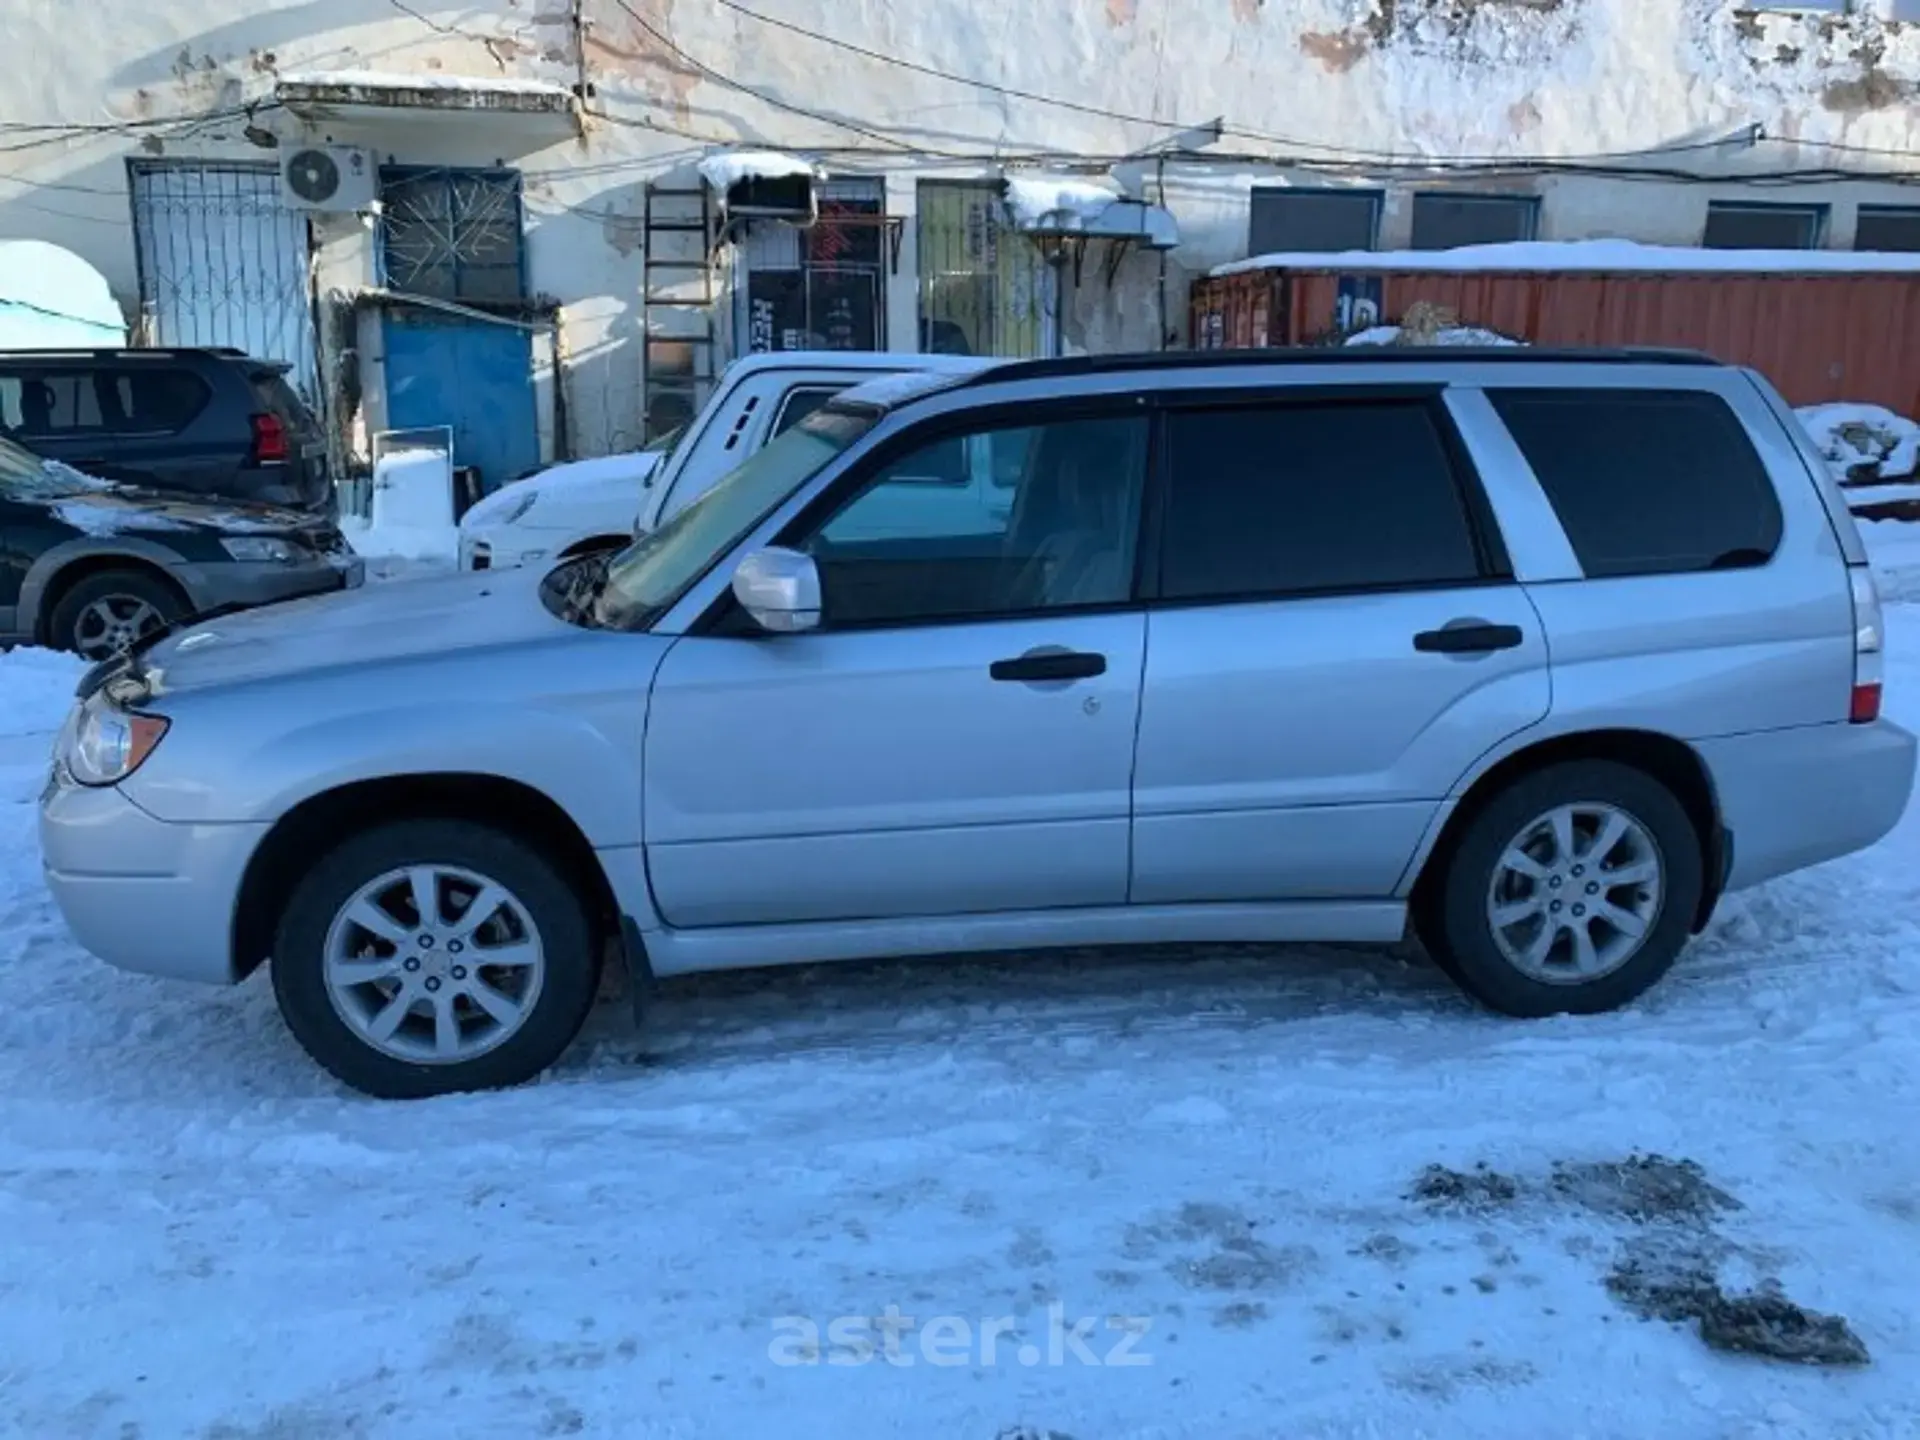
(143, 894)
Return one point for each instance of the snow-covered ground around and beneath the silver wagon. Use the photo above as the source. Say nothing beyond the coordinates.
(1212, 1163)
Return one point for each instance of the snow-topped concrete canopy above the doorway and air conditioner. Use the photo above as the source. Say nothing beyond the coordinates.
(375, 97)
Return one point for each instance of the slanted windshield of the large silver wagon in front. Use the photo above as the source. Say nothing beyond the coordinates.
(652, 575)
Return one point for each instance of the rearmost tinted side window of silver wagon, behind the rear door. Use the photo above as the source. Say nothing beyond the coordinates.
(1646, 481)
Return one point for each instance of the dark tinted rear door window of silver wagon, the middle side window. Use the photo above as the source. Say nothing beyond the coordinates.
(1312, 498)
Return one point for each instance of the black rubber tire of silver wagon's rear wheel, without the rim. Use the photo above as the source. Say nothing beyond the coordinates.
(1460, 934)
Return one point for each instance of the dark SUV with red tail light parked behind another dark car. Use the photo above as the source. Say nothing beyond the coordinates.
(199, 421)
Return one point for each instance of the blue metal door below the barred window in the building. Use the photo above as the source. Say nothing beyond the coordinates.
(471, 375)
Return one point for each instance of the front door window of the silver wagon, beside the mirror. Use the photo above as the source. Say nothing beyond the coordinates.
(928, 537)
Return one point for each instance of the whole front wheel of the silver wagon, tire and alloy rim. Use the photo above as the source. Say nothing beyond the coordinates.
(435, 957)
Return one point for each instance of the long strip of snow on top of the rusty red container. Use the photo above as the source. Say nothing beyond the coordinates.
(1583, 256)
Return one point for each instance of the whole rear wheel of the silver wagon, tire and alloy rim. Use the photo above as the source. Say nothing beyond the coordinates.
(1572, 892)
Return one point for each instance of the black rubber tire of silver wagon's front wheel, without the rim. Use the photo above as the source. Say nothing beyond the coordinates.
(571, 978)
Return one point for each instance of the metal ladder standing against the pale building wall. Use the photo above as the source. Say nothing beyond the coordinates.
(677, 306)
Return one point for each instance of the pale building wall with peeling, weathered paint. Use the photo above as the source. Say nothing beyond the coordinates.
(1297, 82)
